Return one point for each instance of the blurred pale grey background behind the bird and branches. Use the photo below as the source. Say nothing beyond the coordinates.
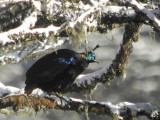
(141, 85)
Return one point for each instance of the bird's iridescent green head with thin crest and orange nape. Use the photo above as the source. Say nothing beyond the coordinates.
(90, 57)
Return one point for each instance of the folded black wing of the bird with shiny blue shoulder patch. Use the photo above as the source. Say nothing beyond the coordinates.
(47, 70)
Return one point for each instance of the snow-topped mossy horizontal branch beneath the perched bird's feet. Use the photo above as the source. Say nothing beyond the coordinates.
(122, 111)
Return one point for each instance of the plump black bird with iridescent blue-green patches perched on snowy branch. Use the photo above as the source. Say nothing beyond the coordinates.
(56, 71)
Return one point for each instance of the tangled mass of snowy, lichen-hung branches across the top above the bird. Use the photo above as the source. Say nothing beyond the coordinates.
(30, 26)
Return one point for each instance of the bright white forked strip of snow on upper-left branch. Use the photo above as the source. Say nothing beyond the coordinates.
(25, 28)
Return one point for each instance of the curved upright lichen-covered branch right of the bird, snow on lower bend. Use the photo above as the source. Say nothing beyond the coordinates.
(116, 69)
